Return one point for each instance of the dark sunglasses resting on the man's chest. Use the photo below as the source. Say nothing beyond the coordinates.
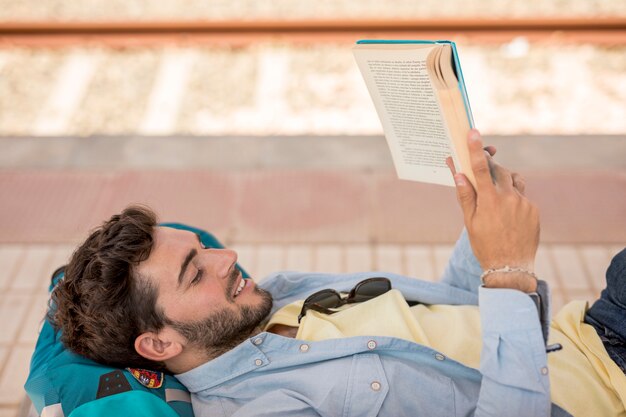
(322, 301)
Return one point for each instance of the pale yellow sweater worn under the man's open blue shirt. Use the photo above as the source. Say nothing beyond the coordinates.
(584, 380)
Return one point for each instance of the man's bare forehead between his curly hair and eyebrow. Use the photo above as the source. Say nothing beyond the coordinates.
(170, 248)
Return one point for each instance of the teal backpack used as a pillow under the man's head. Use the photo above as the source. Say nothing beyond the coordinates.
(61, 383)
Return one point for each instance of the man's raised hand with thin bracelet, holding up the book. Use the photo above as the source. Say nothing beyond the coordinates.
(502, 224)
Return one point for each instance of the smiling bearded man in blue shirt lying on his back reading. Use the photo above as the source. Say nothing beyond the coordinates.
(145, 296)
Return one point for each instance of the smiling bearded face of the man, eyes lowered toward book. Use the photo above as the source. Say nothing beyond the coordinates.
(202, 294)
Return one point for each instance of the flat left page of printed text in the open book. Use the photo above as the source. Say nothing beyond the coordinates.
(407, 104)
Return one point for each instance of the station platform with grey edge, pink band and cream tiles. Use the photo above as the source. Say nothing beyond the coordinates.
(328, 204)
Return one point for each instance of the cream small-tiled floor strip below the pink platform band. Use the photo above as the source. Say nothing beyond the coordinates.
(574, 272)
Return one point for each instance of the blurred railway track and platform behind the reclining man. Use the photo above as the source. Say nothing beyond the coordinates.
(250, 119)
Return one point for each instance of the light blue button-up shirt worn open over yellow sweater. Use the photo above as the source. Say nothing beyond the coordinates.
(272, 375)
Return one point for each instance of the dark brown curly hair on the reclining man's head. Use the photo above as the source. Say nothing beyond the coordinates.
(102, 305)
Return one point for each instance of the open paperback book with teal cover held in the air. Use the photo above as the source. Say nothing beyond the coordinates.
(419, 94)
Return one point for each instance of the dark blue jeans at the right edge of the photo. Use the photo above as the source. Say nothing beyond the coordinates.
(608, 314)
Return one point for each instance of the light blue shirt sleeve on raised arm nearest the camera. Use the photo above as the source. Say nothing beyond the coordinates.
(513, 360)
